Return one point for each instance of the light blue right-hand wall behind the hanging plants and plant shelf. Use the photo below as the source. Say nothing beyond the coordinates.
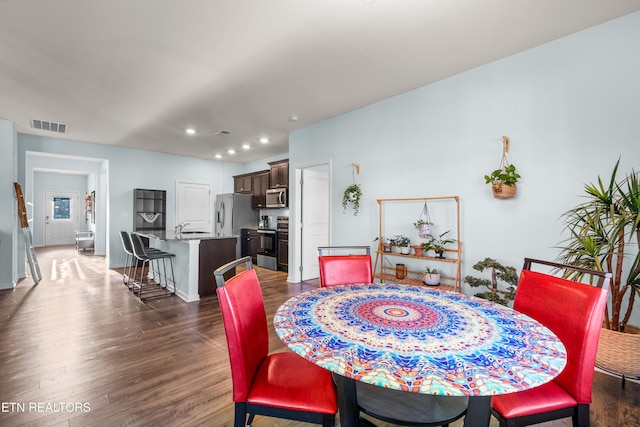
(570, 107)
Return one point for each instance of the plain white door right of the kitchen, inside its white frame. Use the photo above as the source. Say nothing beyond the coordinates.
(315, 219)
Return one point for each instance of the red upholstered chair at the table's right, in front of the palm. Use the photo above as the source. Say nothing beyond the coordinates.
(574, 312)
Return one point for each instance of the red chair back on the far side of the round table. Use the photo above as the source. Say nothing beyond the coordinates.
(342, 269)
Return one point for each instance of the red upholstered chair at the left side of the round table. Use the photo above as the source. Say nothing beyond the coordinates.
(282, 385)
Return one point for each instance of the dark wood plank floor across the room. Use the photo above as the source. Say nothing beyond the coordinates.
(80, 350)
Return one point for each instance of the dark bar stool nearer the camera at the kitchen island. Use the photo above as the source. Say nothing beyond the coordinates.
(146, 257)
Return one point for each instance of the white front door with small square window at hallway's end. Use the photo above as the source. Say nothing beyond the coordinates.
(62, 217)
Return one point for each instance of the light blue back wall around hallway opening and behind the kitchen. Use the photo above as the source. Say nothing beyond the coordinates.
(128, 169)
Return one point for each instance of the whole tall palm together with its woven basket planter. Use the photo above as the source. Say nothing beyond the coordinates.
(605, 236)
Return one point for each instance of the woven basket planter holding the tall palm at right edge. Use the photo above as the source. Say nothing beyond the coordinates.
(619, 352)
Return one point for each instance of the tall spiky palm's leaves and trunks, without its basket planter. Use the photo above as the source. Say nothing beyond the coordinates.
(603, 231)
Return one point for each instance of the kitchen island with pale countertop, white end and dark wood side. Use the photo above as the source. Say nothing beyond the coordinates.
(197, 255)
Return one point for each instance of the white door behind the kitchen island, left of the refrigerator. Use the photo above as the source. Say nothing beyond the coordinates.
(193, 206)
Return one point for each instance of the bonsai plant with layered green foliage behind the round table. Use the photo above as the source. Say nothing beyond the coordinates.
(498, 272)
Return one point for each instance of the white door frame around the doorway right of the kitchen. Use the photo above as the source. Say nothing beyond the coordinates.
(295, 258)
